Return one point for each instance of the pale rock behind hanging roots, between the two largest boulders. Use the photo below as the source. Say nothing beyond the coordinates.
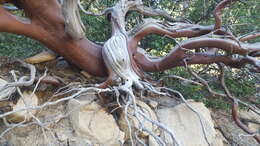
(134, 122)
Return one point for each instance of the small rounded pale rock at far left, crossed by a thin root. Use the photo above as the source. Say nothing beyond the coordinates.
(27, 100)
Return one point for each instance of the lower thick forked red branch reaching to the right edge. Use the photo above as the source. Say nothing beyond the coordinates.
(175, 57)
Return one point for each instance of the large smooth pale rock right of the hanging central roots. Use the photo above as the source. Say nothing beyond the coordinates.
(186, 126)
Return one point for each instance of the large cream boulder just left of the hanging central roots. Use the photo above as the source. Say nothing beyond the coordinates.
(93, 123)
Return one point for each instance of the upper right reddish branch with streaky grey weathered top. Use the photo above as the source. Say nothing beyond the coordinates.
(173, 30)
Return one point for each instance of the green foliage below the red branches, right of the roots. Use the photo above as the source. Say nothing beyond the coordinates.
(241, 85)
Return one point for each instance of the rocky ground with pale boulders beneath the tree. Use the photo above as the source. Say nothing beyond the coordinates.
(87, 120)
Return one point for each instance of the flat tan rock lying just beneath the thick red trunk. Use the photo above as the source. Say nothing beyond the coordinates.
(41, 57)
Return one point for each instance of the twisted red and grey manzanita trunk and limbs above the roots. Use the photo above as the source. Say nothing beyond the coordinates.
(57, 25)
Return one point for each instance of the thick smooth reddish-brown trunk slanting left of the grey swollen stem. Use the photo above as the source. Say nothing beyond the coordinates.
(47, 26)
